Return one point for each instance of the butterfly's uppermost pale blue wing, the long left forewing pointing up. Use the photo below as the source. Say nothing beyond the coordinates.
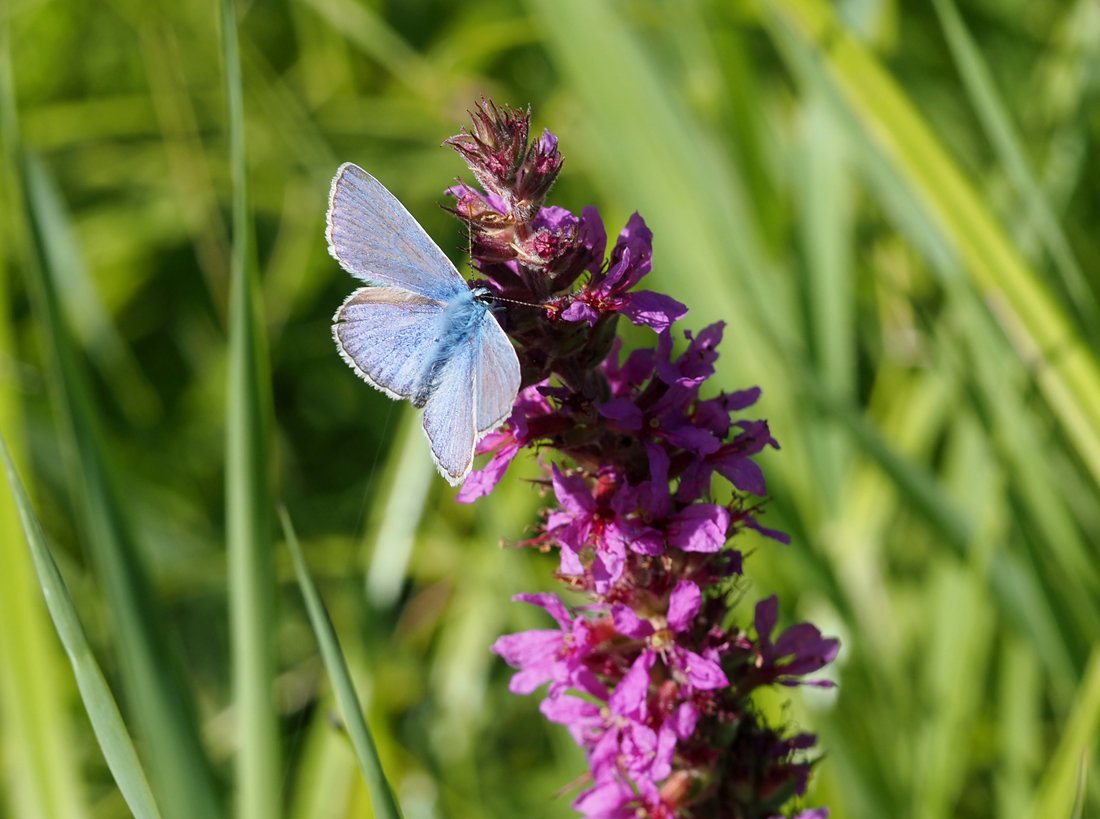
(377, 240)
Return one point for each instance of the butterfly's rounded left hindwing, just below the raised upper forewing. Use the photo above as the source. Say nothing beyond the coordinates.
(389, 336)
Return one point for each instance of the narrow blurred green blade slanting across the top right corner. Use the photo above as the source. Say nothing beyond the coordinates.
(1009, 147)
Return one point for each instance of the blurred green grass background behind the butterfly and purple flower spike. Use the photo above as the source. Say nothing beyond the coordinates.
(894, 207)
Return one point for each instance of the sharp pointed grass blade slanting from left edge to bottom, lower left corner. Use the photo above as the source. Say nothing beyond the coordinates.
(98, 702)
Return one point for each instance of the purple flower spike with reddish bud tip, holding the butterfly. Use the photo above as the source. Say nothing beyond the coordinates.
(651, 673)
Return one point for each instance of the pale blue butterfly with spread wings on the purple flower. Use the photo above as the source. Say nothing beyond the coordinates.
(419, 333)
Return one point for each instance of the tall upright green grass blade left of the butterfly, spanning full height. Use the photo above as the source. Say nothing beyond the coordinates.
(248, 497)
